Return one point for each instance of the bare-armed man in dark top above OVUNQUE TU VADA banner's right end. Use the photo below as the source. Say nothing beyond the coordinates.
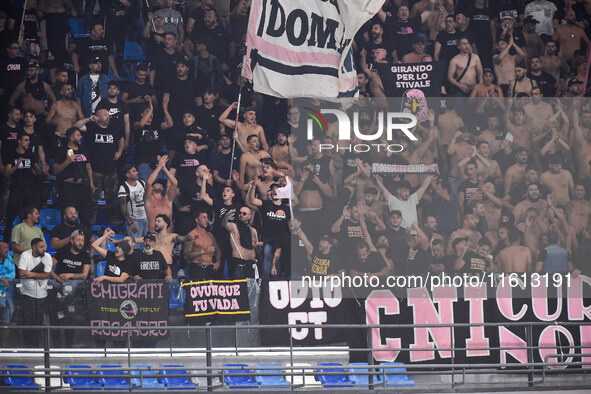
(243, 239)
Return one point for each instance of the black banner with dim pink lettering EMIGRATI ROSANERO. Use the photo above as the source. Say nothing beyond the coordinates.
(142, 304)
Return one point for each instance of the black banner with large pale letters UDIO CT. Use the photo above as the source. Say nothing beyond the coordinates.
(284, 302)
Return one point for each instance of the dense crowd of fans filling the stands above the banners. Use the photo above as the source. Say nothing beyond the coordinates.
(159, 141)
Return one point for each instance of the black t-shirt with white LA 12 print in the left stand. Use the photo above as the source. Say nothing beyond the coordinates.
(102, 143)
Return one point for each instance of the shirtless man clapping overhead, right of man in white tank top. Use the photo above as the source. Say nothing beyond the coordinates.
(158, 201)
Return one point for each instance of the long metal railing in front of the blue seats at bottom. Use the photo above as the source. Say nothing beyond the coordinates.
(534, 373)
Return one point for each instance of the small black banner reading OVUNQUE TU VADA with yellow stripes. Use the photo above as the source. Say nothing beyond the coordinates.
(219, 301)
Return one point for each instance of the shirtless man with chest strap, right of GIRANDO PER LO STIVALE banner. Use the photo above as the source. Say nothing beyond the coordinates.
(457, 65)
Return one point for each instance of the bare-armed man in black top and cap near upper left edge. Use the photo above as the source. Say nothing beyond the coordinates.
(32, 92)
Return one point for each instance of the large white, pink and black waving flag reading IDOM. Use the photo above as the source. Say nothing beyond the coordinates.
(302, 48)
